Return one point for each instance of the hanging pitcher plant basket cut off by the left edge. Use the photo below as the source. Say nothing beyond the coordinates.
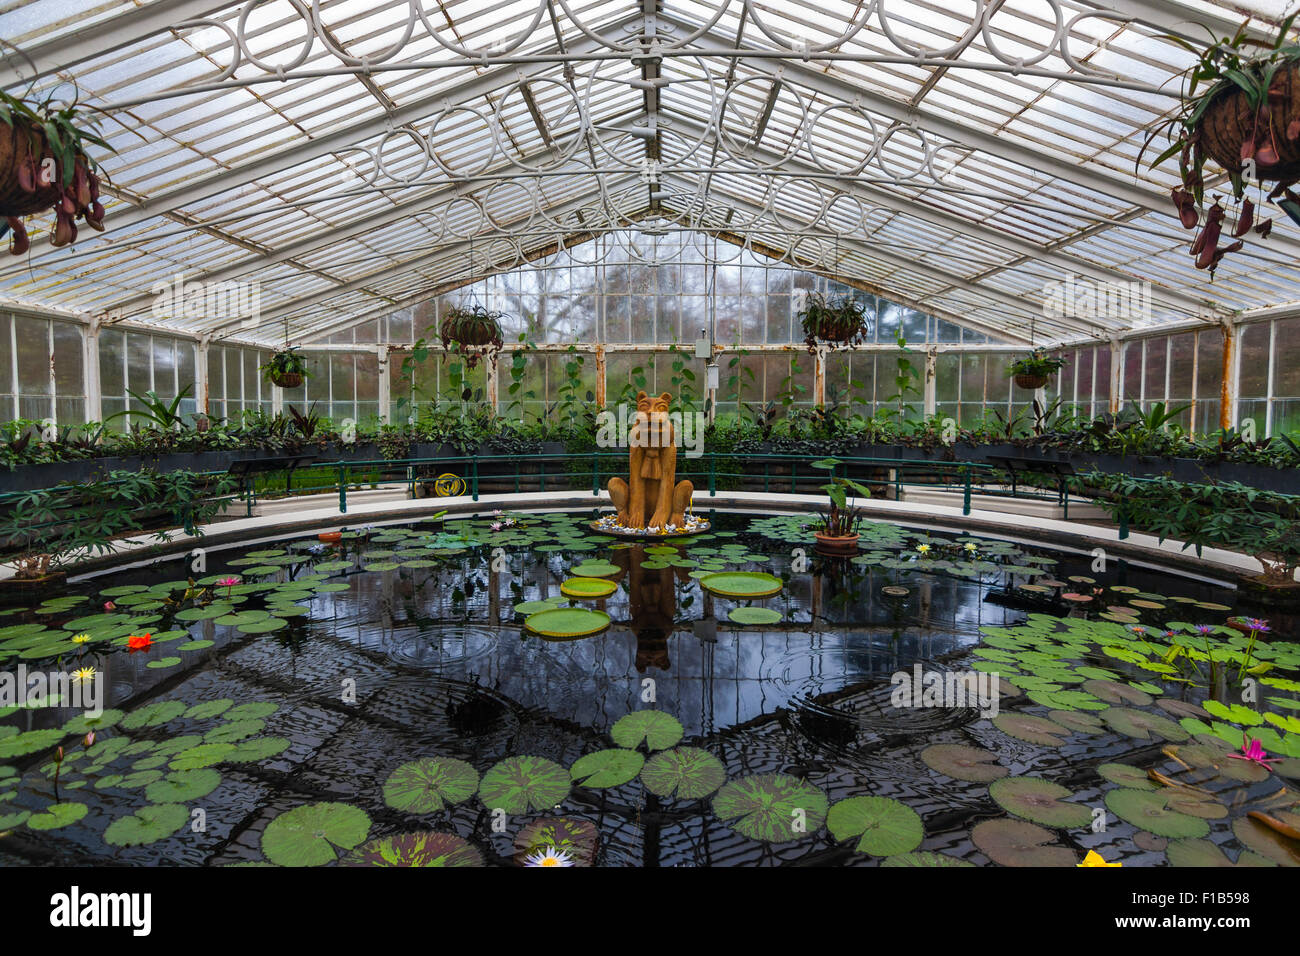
(45, 166)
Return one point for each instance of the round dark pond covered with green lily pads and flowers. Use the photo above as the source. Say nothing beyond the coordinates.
(518, 690)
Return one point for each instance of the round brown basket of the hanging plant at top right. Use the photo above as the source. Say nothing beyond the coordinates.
(1230, 122)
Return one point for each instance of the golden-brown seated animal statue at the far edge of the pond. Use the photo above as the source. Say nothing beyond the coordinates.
(652, 498)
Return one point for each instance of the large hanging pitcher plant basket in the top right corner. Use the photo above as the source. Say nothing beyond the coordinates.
(1240, 109)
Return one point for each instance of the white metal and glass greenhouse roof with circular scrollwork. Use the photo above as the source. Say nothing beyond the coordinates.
(354, 158)
